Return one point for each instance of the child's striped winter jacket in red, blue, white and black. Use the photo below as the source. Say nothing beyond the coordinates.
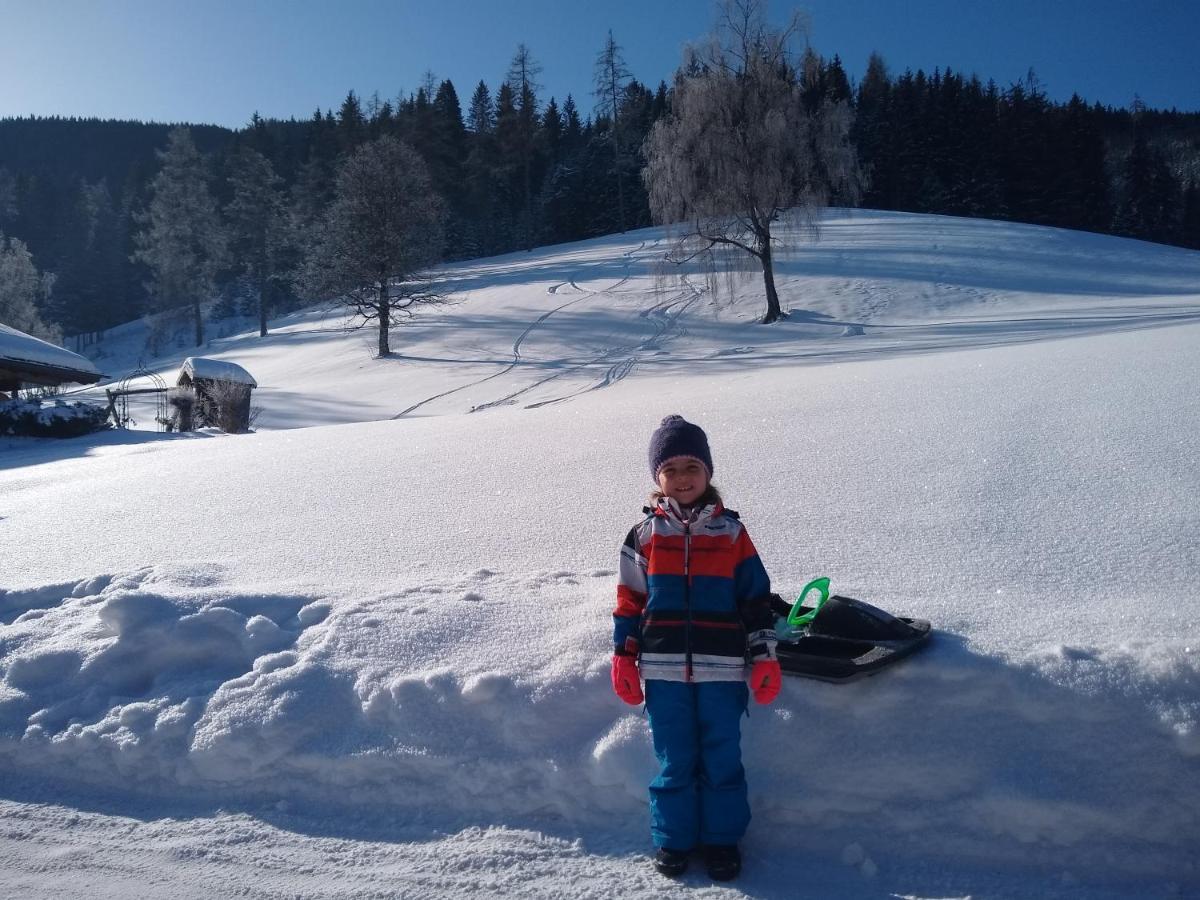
(693, 597)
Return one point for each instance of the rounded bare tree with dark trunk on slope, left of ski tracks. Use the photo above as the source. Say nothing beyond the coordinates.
(381, 235)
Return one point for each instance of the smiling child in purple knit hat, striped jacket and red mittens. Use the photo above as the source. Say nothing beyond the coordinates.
(692, 609)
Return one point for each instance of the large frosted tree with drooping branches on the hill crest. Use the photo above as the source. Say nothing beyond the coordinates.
(739, 149)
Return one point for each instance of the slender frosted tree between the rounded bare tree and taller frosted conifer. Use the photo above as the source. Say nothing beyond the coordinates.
(259, 226)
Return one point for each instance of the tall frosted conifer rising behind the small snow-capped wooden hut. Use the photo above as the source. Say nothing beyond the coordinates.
(182, 238)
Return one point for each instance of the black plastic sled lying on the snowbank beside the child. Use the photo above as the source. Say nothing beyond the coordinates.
(848, 640)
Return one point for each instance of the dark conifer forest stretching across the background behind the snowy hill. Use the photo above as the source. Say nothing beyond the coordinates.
(87, 207)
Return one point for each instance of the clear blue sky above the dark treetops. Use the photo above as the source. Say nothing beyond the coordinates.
(220, 61)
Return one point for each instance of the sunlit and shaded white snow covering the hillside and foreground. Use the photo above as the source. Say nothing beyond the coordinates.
(364, 651)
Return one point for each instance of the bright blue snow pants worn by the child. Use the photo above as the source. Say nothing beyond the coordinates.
(700, 795)
